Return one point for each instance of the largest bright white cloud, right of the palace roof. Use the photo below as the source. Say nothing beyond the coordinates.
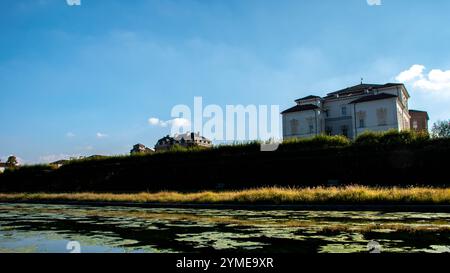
(436, 81)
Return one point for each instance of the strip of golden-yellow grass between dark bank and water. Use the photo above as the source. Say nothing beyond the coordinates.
(269, 195)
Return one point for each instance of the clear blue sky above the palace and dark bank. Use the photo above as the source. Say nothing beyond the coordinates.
(81, 80)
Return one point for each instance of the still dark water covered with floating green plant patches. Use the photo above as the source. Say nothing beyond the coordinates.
(49, 228)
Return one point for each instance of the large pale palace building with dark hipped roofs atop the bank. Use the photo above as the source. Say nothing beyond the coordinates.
(352, 111)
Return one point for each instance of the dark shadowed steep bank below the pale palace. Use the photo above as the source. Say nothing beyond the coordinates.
(385, 159)
